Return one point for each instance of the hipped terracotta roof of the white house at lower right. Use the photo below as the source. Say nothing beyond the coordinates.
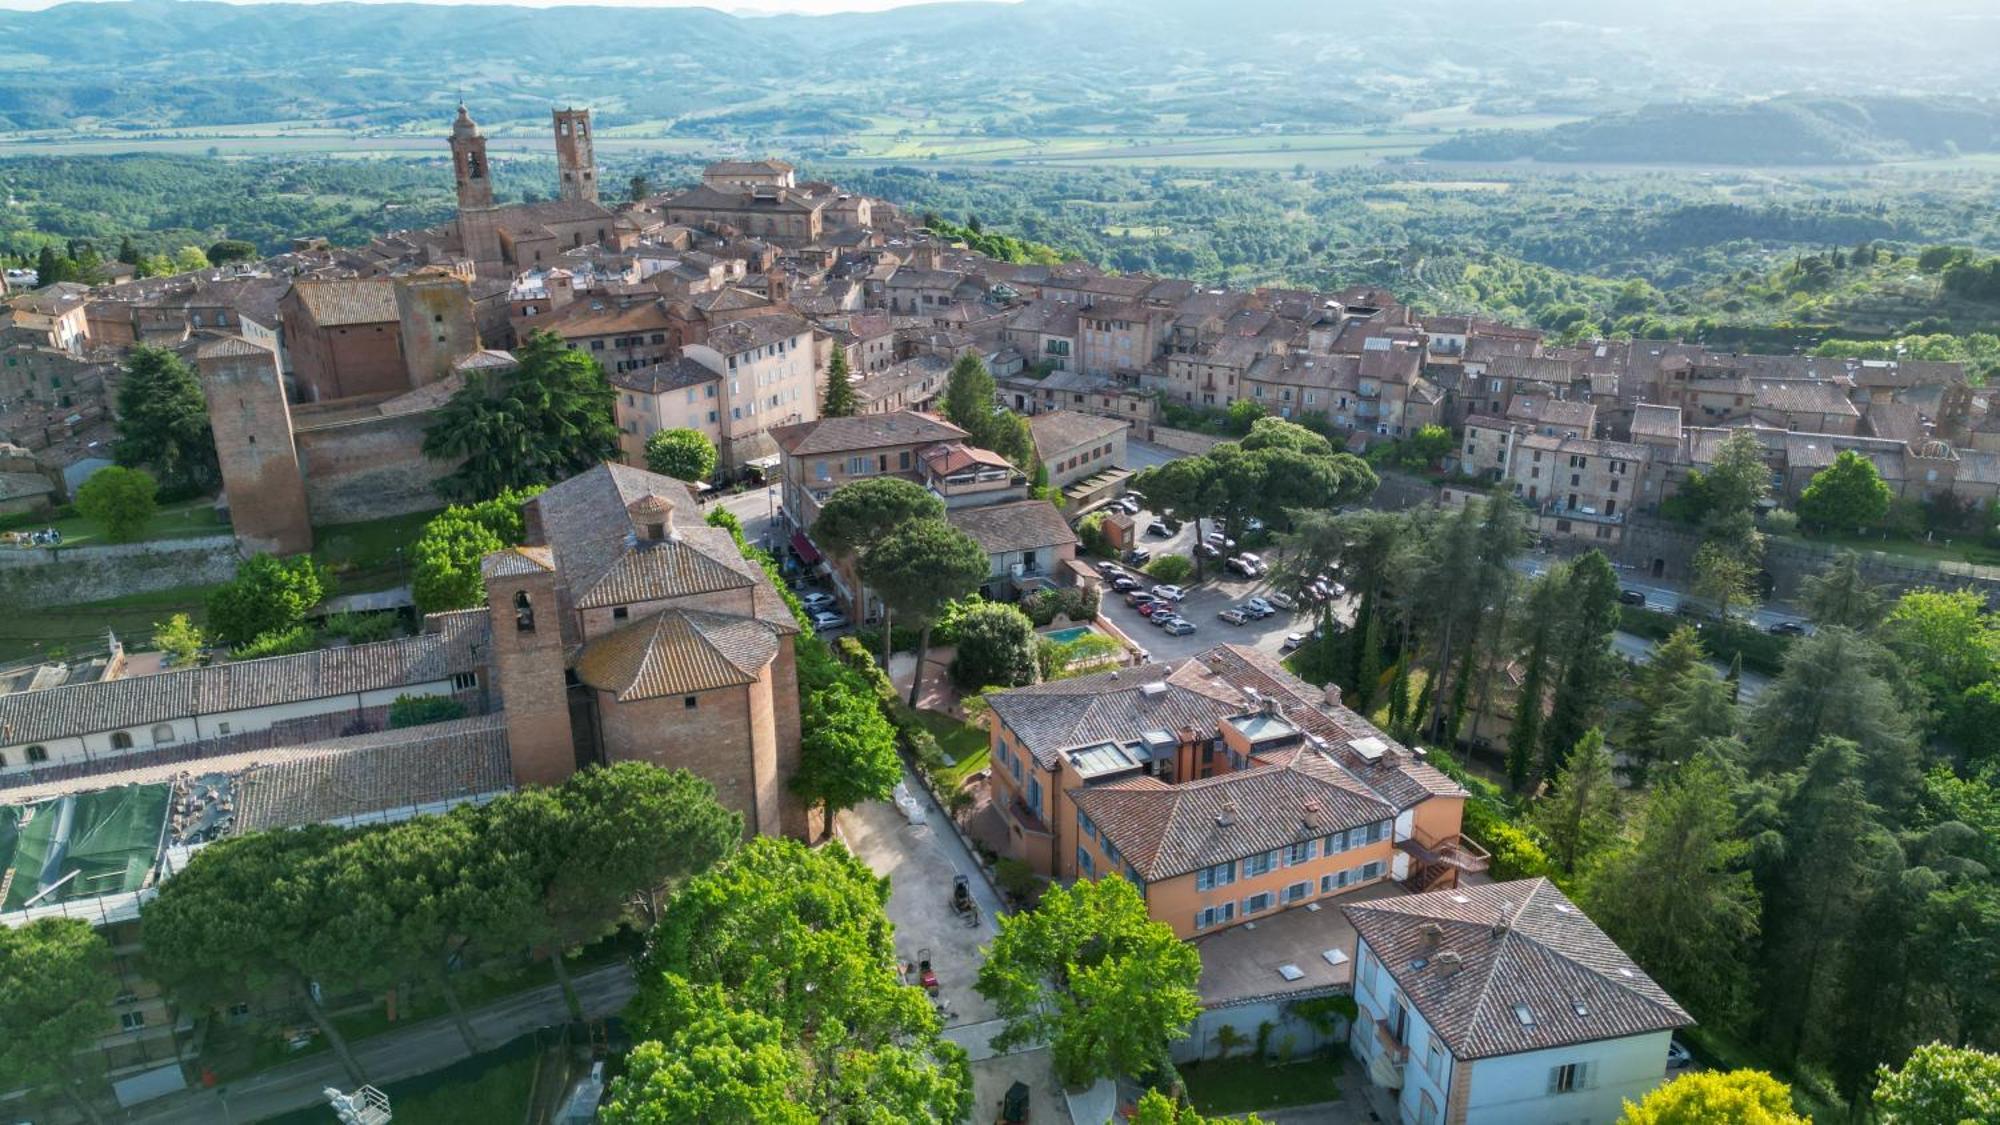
(1547, 978)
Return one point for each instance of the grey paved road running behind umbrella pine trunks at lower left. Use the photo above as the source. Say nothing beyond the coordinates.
(389, 1058)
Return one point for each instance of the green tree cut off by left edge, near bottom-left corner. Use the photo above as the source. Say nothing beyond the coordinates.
(55, 1002)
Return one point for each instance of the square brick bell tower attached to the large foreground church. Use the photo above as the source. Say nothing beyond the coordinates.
(529, 662)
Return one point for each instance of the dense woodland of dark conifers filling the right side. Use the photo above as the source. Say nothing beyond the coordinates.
(1815, 872)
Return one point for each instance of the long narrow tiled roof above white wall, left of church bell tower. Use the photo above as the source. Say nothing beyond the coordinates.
(237, 686)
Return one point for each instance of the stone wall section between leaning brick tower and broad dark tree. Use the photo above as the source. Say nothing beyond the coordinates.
(367, 469)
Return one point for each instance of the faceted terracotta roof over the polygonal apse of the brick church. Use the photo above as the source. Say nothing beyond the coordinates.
(677, 654)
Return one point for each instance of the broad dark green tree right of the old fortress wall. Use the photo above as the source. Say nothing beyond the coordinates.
(537, 423)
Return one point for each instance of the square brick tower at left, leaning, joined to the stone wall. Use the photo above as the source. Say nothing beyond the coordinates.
(253, 427)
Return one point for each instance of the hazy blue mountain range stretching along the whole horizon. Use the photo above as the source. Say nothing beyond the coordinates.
(1037, 67)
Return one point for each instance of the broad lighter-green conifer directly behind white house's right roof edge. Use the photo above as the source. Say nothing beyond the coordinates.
(1677, 896)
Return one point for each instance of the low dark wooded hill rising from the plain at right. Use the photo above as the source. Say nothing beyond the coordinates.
(1779, 131)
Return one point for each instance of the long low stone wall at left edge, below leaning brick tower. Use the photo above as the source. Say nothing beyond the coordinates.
(71, 576)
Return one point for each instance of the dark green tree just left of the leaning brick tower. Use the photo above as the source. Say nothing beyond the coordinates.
(163, 423)
